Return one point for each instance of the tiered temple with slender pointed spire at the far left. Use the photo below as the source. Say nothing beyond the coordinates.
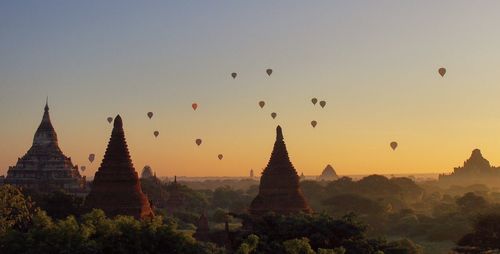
(44, 168)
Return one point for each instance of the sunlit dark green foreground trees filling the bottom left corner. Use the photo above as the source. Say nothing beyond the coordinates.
(25, 228)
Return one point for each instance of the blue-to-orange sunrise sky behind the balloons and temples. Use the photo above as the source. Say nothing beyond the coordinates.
(374, 62)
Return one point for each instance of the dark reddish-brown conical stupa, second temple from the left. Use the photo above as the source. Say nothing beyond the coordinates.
(116, 188)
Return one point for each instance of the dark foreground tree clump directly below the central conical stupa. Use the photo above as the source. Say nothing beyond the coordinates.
(319, 233)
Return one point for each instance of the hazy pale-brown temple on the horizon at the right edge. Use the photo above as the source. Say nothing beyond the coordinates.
(476, 169)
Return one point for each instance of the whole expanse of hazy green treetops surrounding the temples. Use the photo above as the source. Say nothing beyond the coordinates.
(349, 215)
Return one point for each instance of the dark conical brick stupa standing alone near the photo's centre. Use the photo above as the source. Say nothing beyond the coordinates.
(279, 189)
